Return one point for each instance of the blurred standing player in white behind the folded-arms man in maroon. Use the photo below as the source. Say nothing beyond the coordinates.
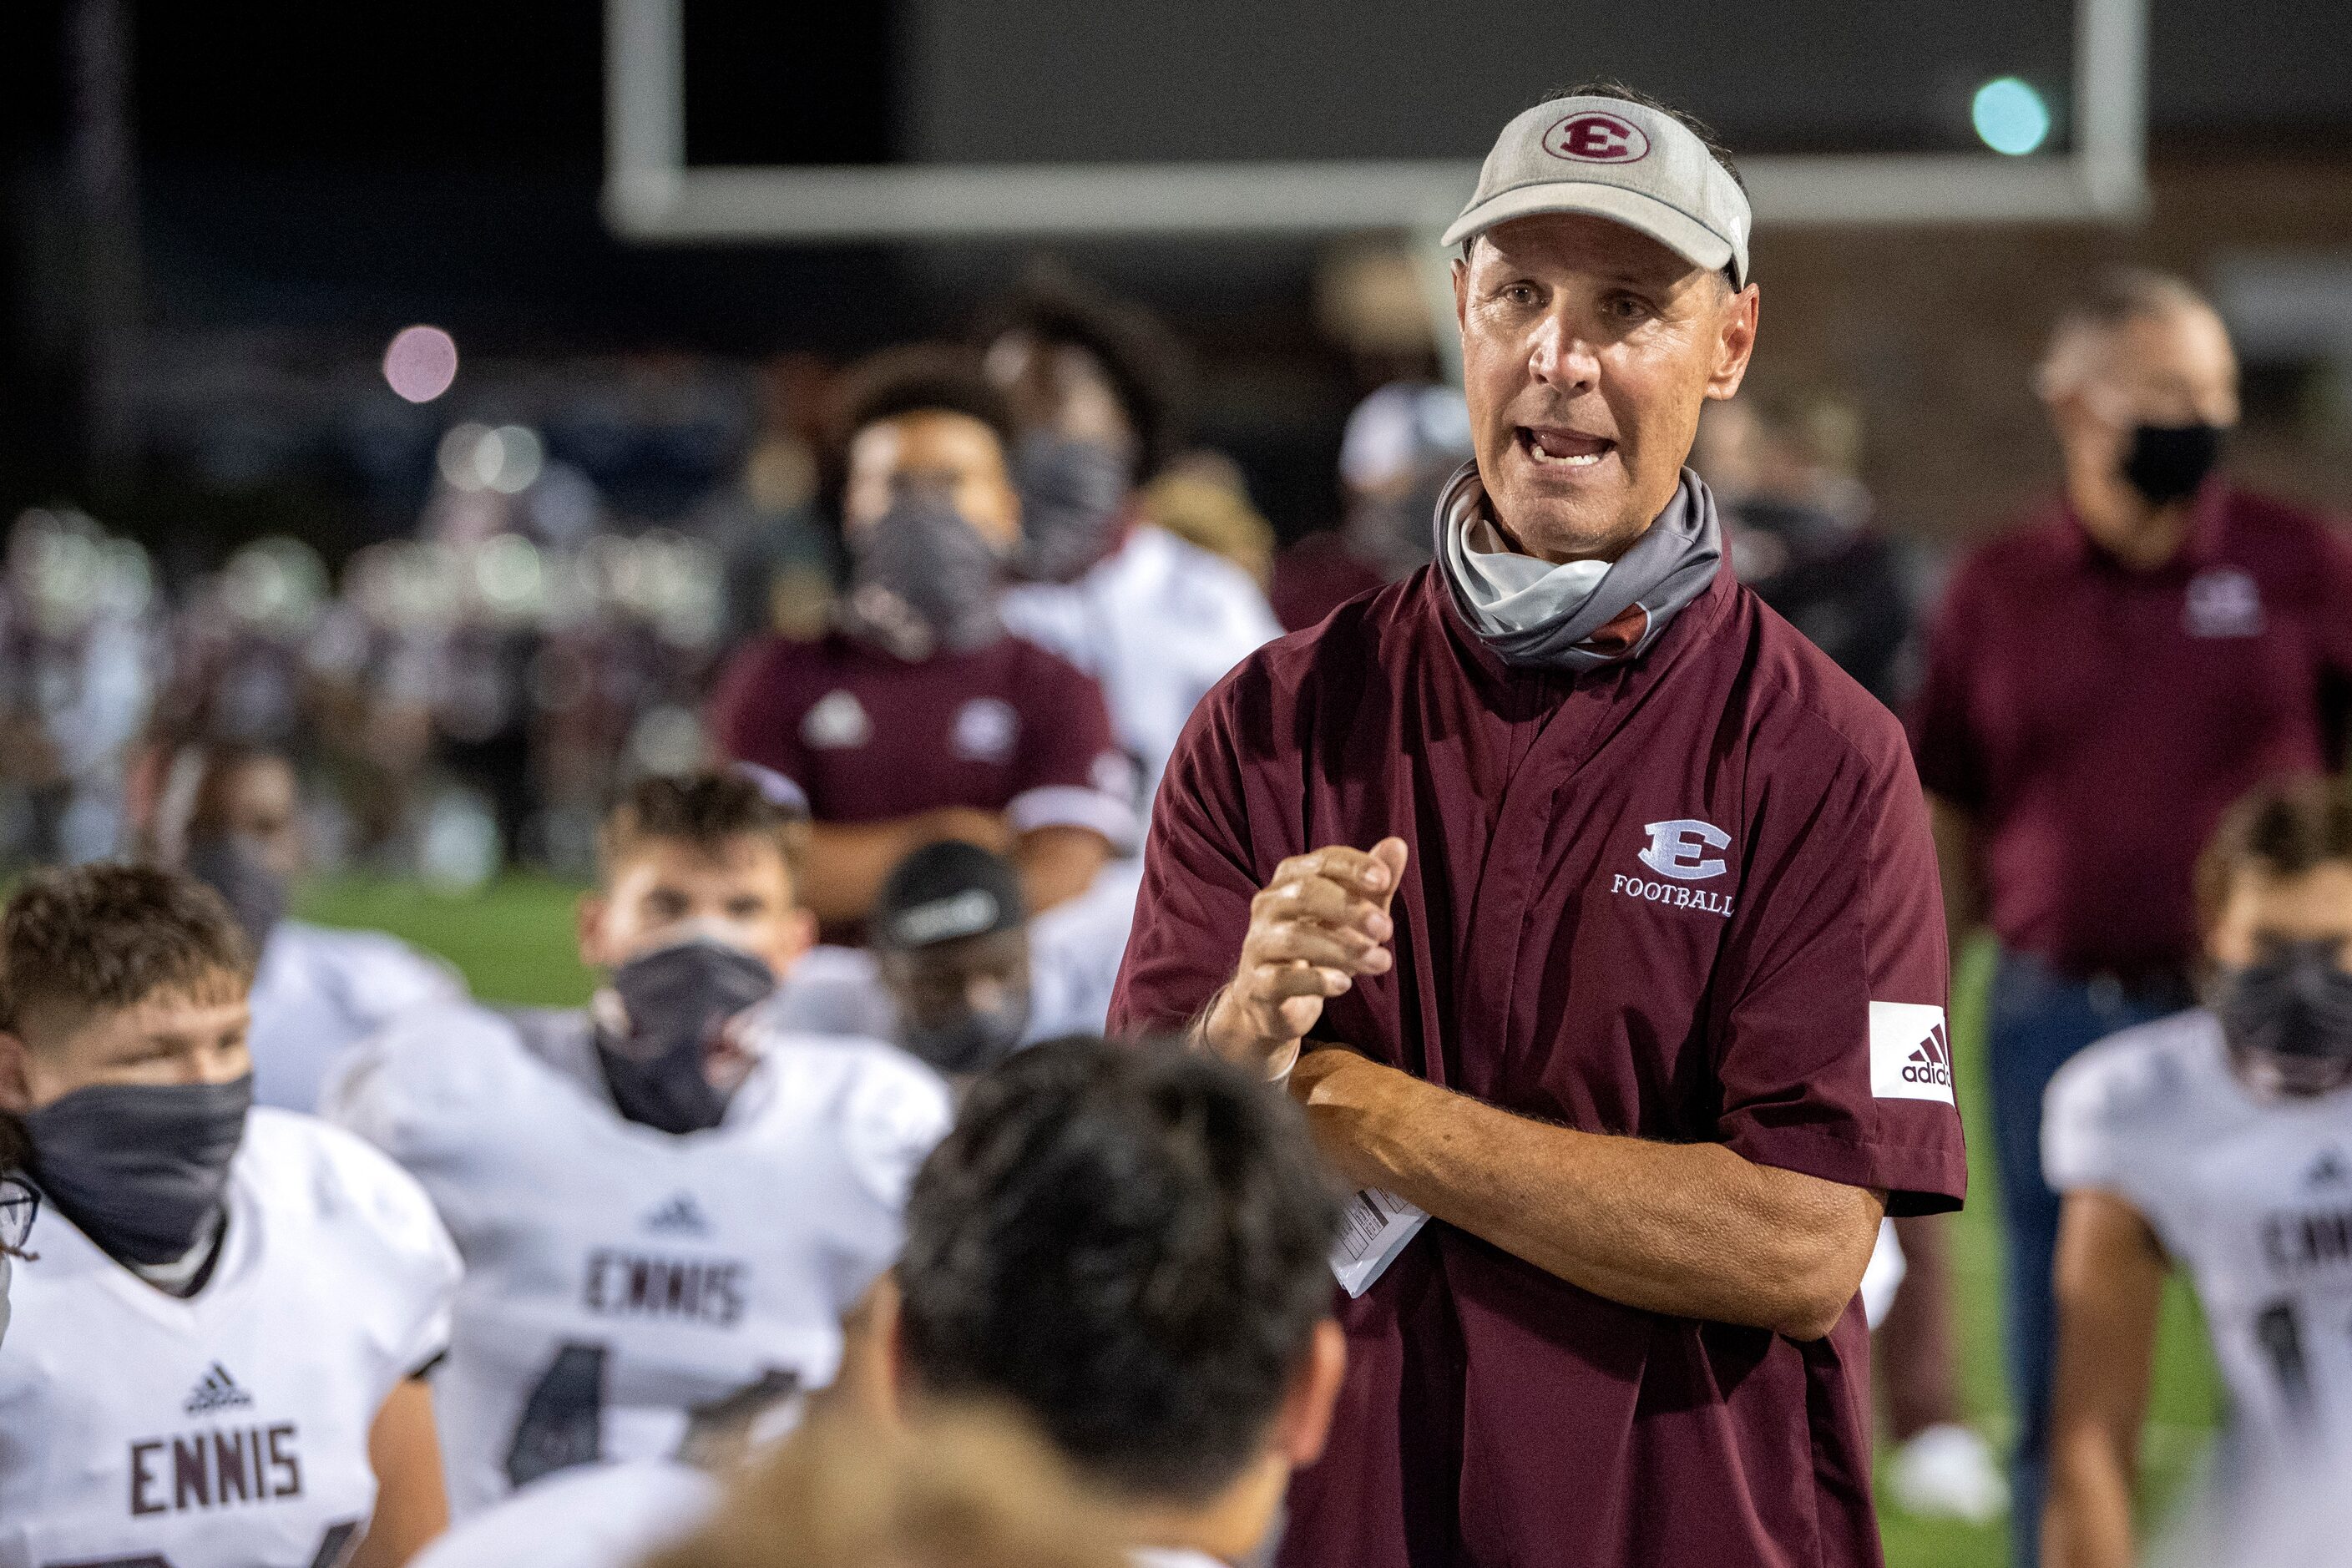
(1151, 617)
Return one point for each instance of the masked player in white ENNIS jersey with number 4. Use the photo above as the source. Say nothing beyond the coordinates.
(657, 1200)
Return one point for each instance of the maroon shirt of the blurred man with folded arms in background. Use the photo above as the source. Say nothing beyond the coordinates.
(869, 737)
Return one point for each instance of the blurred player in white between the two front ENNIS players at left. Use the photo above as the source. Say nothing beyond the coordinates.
(232, 817)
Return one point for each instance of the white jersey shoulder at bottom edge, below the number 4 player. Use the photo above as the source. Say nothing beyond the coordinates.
(603, 1517)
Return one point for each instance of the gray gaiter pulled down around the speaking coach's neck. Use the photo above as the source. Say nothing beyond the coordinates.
(1546, 617)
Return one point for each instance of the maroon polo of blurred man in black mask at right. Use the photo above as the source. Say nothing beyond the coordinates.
(2097, 721)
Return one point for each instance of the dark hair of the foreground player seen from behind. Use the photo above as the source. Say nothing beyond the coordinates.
(1132, 1247)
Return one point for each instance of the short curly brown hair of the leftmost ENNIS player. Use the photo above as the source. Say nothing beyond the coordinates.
(112, 937)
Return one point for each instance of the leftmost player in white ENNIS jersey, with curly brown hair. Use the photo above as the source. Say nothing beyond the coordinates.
(222, 1313)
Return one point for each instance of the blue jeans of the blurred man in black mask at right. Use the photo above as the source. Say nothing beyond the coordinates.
(2038, 1019)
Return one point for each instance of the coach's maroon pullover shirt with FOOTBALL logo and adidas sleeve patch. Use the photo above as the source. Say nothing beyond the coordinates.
(1685, 899)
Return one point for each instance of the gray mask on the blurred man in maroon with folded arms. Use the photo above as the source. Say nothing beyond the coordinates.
(923, 579)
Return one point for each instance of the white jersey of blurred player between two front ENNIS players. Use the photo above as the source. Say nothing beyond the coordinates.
(319, 991)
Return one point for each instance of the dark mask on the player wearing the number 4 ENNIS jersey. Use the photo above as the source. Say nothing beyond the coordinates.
(655, 1031)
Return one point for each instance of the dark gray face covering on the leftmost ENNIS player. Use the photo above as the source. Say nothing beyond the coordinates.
(140, 1167)
